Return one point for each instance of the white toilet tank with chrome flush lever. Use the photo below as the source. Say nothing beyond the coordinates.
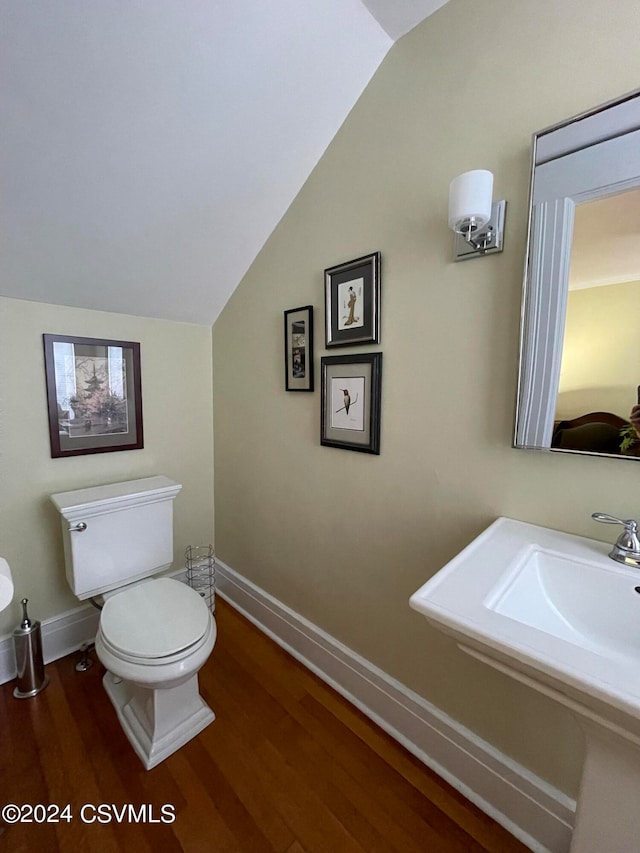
(116, 534)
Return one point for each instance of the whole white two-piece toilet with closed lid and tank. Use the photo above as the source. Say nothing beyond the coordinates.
(155, 633)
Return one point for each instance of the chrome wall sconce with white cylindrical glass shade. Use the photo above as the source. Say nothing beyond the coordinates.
(478, 221)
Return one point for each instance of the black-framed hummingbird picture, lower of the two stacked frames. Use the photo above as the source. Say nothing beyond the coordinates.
(350, 416)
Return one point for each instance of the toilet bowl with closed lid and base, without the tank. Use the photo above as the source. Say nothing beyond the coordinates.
(153, 638)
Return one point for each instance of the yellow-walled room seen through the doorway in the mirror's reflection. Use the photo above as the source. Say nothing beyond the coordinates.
(600, 362)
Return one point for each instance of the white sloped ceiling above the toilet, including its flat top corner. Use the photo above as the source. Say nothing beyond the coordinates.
(149, 147)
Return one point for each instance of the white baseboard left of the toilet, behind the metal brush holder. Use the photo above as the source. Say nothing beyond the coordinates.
(61, 635)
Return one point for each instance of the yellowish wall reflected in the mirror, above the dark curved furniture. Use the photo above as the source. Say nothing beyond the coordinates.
(600, 355)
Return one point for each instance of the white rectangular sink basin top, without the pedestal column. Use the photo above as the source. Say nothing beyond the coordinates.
(552, 606)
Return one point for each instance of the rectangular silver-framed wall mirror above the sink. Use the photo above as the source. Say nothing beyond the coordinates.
(579, 358)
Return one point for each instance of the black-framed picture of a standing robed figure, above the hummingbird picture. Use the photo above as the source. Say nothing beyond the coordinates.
(352, 302)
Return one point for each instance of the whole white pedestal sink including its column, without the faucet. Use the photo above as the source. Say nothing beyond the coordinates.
(553, 611)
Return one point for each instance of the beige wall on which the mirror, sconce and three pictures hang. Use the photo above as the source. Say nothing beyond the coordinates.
(345, 538)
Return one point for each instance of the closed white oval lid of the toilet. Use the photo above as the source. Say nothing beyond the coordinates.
(154, 619)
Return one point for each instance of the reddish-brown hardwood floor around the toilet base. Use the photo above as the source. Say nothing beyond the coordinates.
(287, 766)
